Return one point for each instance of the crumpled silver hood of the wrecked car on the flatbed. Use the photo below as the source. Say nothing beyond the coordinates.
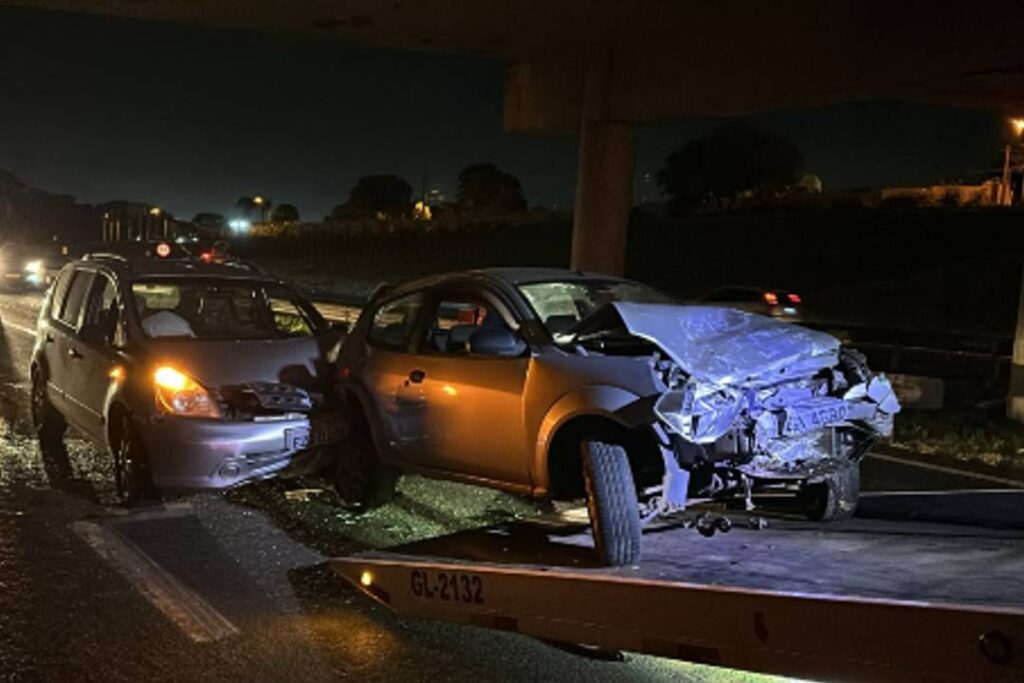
(730, 347)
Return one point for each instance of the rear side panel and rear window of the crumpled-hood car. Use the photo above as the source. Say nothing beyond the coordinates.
(386, 375)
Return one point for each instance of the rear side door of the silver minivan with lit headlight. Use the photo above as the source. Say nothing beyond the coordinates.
(63, 355)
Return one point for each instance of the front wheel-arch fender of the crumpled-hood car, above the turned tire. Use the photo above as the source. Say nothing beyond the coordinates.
(592, 401)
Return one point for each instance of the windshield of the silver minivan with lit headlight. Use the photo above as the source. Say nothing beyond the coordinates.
(222, 310)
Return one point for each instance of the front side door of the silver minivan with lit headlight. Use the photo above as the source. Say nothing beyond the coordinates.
(95, 355)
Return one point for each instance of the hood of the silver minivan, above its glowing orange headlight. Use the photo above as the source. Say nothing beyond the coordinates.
(218, 363)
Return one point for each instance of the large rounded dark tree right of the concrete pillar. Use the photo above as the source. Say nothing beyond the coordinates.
(731, 160)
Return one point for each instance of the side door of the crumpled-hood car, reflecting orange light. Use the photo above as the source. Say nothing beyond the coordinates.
(472, 406)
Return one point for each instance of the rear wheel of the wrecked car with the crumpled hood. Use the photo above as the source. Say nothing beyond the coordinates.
(361, 480)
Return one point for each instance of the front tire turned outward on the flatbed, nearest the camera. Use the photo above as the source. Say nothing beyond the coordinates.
(612, 501)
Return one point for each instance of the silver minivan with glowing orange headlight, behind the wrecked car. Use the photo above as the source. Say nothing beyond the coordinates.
(193, 376)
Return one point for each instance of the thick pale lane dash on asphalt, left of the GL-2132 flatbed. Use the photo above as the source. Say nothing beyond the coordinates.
(184, 607)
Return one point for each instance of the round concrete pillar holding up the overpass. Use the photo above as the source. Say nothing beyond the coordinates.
(605, 179)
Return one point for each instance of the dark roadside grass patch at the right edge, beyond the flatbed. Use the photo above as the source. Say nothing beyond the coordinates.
(967, 436)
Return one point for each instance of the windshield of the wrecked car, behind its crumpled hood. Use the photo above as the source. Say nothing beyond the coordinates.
(562, 305)
